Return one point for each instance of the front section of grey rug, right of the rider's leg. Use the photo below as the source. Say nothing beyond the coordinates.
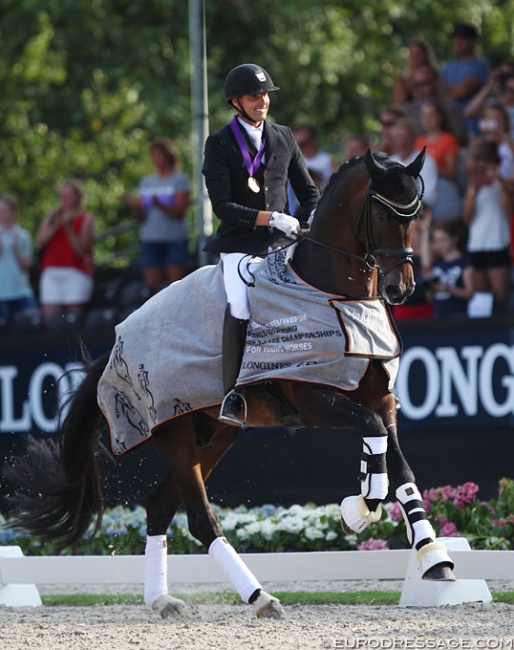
(297, 332)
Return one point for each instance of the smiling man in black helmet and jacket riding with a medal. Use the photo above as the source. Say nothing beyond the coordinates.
(247, 165)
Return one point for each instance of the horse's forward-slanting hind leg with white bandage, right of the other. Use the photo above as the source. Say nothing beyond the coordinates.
(178, 446)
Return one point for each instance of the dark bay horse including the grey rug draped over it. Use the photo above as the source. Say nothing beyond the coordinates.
(322, 351)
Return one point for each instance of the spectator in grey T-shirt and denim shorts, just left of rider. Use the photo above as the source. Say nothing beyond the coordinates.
(160, 206)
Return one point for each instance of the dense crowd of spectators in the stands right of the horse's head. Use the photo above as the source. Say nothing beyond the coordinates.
(461, 112)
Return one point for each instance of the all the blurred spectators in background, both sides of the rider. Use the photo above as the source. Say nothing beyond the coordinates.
(462, 112)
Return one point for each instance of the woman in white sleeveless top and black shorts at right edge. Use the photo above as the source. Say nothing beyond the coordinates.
(487, 210)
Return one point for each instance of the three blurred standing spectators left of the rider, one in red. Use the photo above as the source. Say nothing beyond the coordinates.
(50, 282)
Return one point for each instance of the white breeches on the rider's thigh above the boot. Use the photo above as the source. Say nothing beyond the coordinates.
(236, 265)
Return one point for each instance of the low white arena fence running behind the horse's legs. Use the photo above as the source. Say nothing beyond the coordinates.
(17, 571)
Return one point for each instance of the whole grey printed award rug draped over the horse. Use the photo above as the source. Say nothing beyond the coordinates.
(166, 360)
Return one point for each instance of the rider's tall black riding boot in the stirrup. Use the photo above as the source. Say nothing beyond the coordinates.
(233, 407)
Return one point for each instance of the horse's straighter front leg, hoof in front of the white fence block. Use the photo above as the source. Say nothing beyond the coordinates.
(433, 556)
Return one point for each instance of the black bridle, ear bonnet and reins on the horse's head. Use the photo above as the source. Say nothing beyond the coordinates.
(401, 212)
